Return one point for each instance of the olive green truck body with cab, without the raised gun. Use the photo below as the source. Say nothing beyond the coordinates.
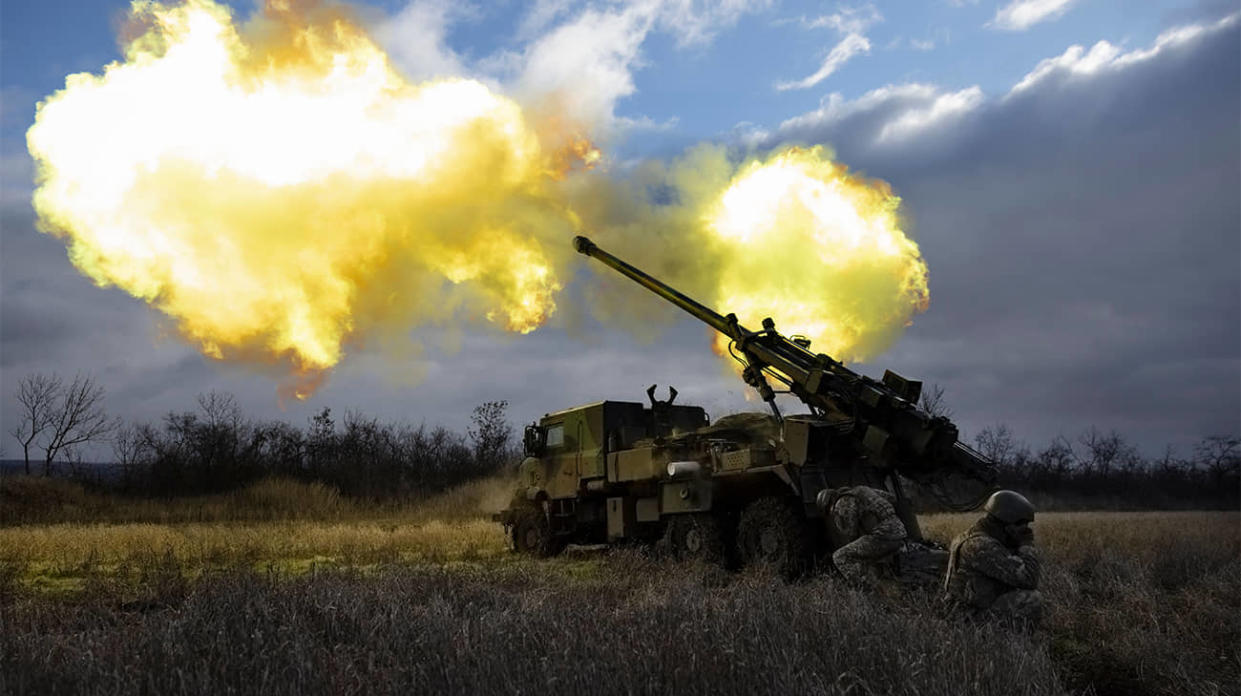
(601, 475)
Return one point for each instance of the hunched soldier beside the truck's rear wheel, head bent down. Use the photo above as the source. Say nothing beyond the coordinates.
(863, 522)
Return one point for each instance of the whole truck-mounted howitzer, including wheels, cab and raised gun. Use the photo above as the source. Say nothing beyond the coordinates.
(744, 489)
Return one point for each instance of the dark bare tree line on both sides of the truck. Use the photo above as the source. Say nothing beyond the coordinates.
(215, 447)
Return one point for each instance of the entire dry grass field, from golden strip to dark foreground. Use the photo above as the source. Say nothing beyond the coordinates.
(289, 590)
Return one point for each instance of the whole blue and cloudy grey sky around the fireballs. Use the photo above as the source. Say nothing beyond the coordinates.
(1070, 171)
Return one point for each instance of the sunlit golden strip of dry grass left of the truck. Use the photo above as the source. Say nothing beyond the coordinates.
(275, 527)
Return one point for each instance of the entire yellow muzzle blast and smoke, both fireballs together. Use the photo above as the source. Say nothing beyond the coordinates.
(284, 194)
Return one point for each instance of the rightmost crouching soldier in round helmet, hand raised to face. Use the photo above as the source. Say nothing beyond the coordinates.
(993, 568)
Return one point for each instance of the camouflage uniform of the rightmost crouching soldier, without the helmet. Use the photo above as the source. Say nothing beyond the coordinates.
(986, 578)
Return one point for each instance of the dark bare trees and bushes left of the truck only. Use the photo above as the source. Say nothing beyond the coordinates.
(215, 448)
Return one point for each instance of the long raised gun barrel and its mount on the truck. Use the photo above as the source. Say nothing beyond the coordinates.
(887, 421)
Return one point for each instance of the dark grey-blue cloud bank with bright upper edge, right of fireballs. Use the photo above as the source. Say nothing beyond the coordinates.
(1083, 236)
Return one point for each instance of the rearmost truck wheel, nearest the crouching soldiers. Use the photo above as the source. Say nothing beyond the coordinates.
(773, 534)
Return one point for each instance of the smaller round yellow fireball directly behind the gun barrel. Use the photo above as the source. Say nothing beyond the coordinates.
(818, 250)
